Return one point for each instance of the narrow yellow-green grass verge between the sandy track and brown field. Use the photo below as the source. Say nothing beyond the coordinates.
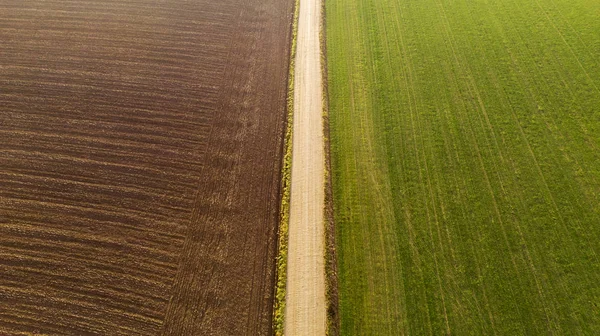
(286, 169)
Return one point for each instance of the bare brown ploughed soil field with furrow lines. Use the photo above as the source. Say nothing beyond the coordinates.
(140, 154)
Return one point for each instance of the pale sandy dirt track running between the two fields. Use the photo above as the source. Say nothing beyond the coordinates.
(305, 302)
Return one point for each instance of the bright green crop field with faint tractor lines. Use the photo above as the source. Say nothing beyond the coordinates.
(465, 143)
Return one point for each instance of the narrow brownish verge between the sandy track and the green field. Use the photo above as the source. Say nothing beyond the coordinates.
(331, 269)
